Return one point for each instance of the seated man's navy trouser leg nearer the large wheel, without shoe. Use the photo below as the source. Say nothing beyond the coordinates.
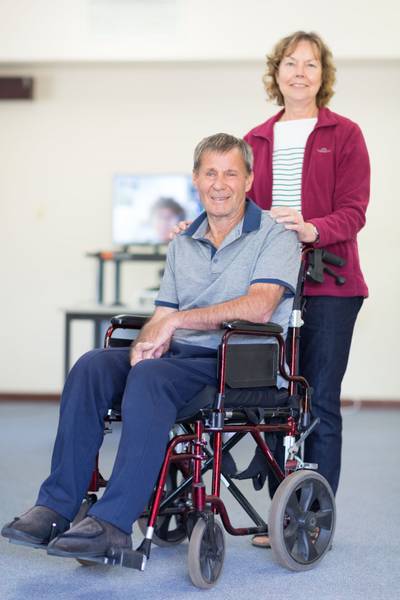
(156, 390)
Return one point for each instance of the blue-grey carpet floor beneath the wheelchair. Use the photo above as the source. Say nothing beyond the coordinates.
(364, 562)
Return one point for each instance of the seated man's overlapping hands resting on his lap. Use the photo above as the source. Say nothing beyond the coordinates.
(154, 339)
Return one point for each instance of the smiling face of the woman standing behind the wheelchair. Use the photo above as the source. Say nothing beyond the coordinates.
(300, 73)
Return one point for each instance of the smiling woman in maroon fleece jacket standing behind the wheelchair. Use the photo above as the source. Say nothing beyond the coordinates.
(312, 171)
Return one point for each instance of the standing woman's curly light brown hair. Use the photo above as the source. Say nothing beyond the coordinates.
(285, 46)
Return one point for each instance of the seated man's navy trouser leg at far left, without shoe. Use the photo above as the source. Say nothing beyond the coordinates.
(95, 382)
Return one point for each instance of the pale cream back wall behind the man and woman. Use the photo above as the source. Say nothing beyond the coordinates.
(57, 157)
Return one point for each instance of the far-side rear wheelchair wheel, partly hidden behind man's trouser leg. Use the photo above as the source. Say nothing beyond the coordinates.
(170, 529)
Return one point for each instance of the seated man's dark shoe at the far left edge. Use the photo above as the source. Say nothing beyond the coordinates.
(37, 527)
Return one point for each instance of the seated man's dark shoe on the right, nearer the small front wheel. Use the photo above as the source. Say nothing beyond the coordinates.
(91, 537)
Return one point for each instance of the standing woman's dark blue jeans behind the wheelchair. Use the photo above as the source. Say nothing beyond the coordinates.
(324, 351)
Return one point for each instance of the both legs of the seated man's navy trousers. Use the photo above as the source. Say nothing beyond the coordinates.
(152, 393)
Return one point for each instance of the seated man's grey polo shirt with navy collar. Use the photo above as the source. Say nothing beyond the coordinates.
(257, 250)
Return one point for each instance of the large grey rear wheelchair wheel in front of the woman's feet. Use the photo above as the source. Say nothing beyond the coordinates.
(302, 520)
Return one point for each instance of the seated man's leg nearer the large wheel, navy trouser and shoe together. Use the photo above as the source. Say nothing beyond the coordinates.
(155, 391)
